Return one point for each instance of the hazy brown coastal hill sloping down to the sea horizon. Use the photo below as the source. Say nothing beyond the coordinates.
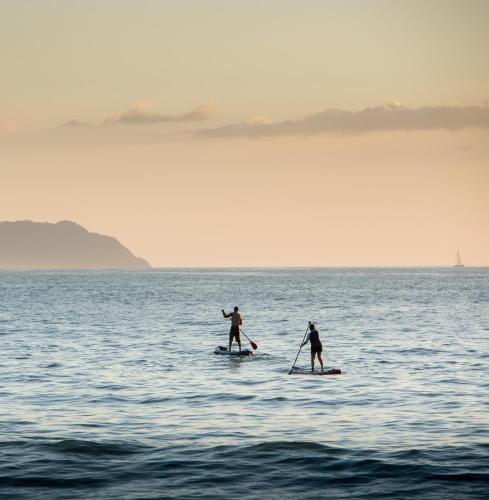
(64, 245)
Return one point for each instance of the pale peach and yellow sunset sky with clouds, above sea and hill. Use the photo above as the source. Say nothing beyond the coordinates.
(252, 133)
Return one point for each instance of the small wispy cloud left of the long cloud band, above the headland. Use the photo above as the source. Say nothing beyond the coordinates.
(138, 115)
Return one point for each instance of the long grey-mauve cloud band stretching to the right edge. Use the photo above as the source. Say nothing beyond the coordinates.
(391, 116)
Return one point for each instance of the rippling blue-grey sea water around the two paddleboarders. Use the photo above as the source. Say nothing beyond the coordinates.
(110, 388)
